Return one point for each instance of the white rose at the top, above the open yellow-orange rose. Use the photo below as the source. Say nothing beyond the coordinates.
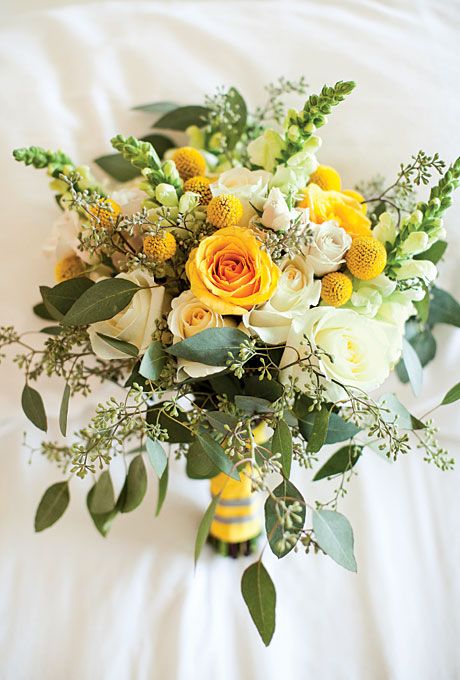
(250, 186)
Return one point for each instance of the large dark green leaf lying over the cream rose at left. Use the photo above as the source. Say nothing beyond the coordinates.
(100, 302)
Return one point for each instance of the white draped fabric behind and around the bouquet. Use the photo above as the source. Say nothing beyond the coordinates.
(77, 607)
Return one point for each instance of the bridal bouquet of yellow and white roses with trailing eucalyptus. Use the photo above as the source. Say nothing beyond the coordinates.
(244, 306)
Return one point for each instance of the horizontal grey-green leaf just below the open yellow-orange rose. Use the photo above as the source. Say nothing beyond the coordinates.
(211, 346)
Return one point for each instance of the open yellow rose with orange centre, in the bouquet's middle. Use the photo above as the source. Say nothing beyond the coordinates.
(230, 272)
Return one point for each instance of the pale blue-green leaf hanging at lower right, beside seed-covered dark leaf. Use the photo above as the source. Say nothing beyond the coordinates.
(334, 535)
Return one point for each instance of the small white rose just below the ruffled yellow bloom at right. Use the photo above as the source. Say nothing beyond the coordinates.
(327, 250)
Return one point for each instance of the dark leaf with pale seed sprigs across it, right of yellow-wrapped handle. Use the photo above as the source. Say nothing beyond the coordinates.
(284, 518)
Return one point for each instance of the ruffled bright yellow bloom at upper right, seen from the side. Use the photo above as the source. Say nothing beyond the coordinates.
(334, 205)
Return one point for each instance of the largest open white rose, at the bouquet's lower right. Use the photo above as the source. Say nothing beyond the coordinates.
(364, 350)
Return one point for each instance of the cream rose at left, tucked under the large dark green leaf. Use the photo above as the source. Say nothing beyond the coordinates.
(135, 323)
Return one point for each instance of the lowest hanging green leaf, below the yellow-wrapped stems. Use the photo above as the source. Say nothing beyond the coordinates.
(260, 596)
